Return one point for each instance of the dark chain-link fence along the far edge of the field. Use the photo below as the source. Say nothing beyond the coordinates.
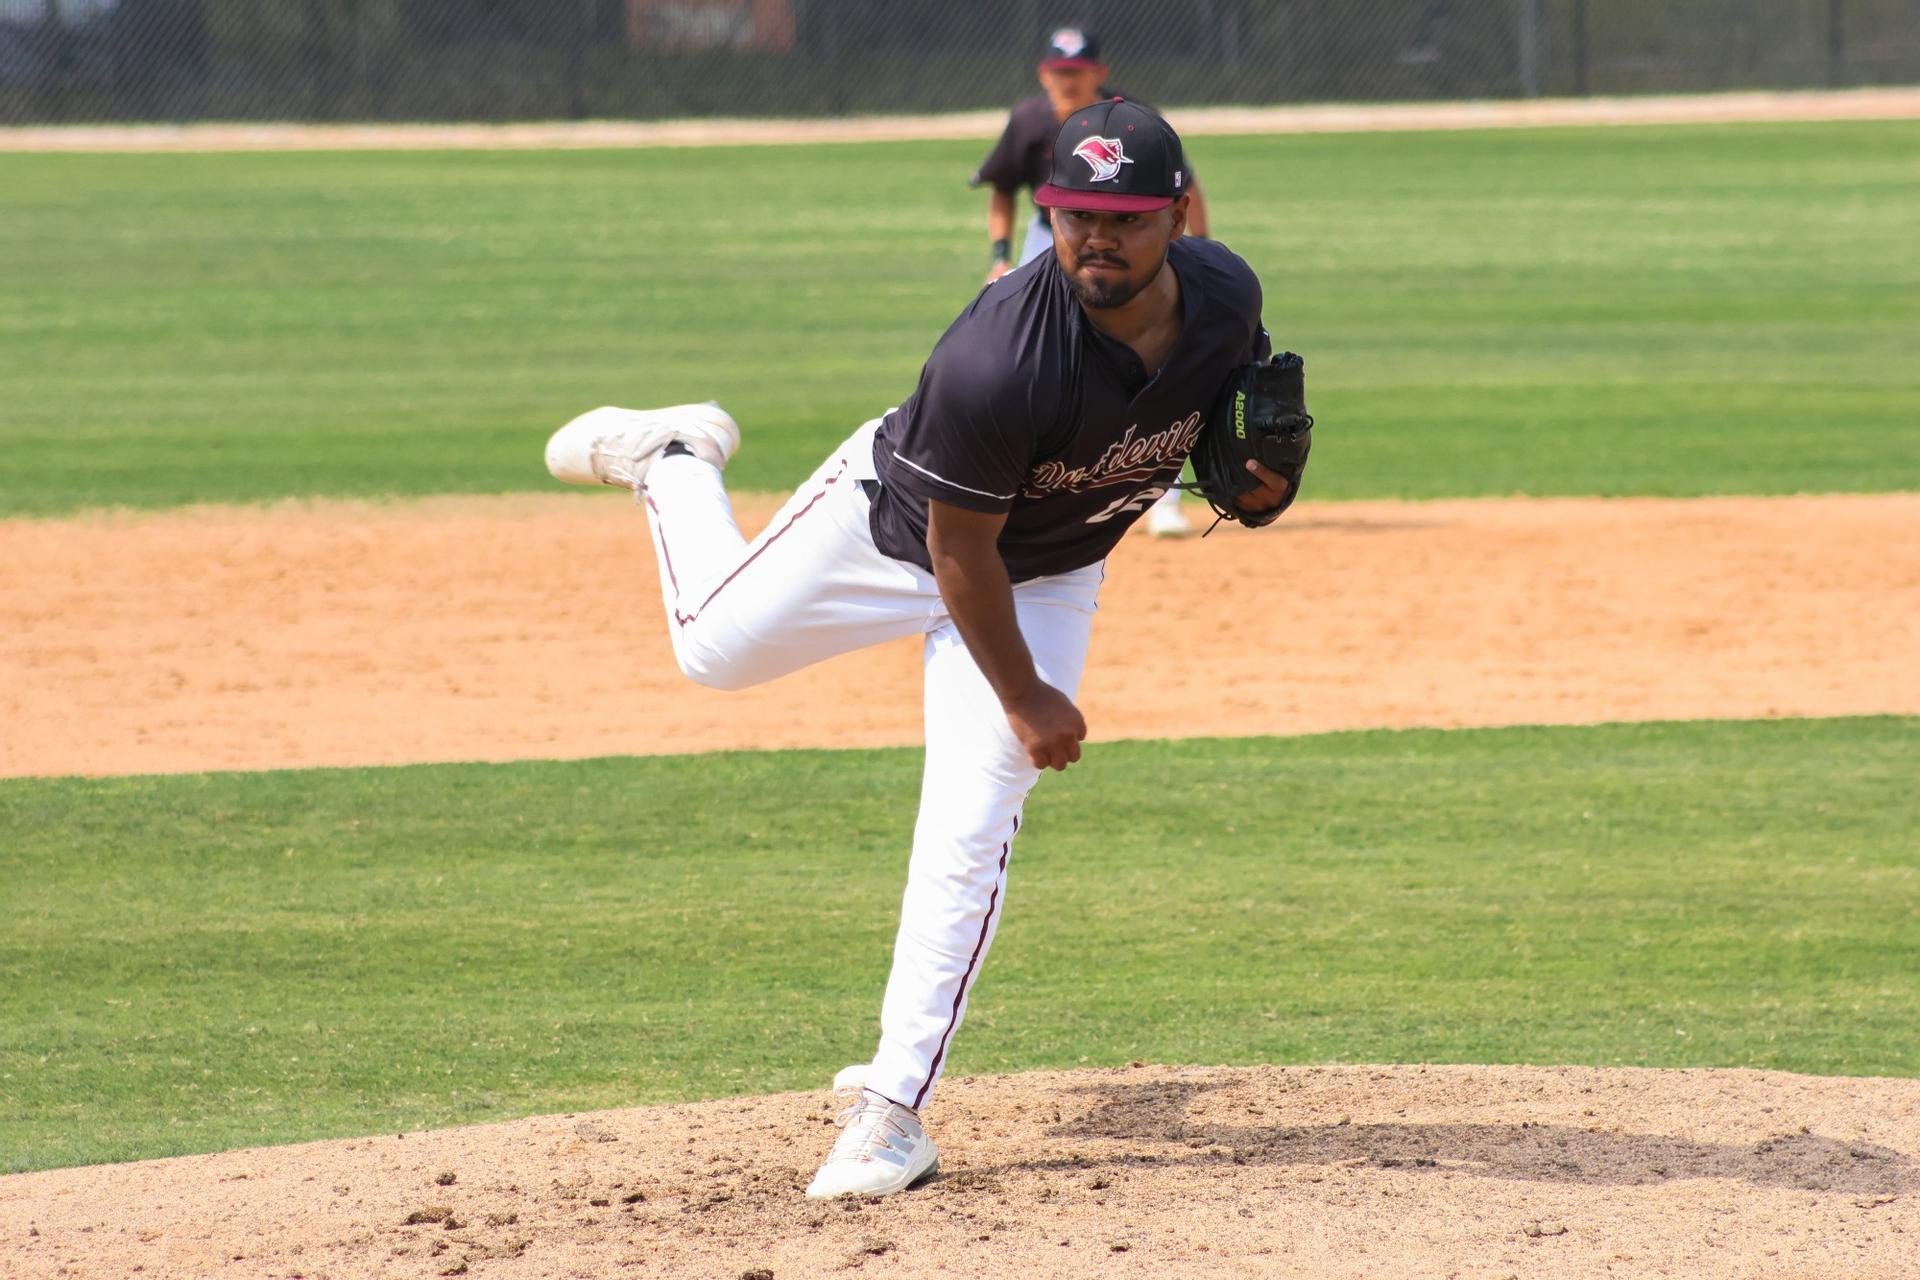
(491, 60)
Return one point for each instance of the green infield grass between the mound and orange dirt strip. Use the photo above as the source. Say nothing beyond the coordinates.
(222, 960)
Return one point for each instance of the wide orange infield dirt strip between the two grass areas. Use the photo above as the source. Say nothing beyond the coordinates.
(531, 628)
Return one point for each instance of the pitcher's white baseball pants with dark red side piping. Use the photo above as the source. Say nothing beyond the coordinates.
(813, 586)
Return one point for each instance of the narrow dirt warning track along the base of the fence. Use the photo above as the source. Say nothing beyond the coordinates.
(1844, 105)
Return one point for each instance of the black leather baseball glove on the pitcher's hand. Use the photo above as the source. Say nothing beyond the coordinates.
(1262, 415)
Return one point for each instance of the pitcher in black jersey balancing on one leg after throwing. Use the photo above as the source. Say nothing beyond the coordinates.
(978, 515)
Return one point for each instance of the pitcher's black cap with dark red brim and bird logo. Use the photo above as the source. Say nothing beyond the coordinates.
(1116, 156)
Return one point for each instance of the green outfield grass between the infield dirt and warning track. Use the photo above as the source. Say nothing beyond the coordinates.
(1512, 312)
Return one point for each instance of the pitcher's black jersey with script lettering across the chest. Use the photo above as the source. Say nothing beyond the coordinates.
(1028, 408)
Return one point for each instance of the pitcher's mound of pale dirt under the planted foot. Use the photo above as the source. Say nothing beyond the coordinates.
(1149, 1172)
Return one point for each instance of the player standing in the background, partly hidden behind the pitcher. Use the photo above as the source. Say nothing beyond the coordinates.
(1072, 78)
